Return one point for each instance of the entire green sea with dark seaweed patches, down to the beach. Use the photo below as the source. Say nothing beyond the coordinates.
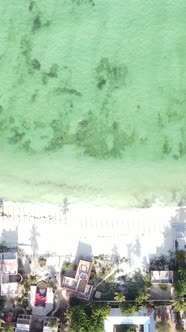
(122, 61)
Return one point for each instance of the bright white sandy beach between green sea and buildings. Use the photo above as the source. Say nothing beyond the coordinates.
(137, 234)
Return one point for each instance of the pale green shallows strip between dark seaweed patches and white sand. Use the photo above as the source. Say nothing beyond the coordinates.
(117, 183)
